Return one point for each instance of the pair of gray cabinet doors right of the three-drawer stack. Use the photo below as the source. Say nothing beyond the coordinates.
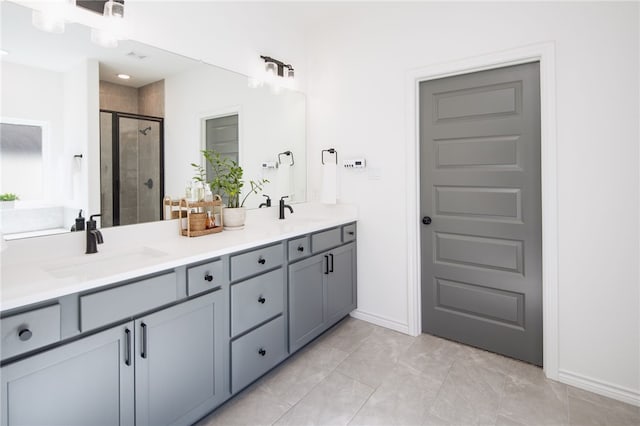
(322, 290)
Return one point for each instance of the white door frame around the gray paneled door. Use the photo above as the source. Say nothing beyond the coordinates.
(544, 53)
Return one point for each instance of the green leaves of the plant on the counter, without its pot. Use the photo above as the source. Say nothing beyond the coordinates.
(227, 179)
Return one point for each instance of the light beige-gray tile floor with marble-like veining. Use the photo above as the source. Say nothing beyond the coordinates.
(361, 374)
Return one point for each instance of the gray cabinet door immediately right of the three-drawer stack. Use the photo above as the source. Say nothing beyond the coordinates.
(306, 300)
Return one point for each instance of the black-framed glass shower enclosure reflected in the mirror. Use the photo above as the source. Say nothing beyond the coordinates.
(131, 168)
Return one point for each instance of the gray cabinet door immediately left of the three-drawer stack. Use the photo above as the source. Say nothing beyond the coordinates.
(180, 373)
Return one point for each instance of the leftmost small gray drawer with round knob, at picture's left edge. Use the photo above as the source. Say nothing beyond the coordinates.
(30, 330)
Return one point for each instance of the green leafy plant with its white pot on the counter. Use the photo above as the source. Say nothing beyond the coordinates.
(227, 181)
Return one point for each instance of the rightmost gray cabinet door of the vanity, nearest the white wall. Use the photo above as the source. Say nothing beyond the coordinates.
(341, 283)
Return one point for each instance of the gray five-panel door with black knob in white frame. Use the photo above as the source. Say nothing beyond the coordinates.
(480, 197)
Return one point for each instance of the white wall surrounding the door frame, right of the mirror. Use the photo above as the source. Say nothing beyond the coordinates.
(356, 104)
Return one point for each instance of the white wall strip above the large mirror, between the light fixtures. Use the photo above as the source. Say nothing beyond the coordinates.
(231, 35)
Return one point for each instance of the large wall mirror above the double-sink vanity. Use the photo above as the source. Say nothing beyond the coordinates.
(76, 136)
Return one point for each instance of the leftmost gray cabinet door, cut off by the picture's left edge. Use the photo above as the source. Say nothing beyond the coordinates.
(86, 382)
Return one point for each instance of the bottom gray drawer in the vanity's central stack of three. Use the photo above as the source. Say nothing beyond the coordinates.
(257, 352)
